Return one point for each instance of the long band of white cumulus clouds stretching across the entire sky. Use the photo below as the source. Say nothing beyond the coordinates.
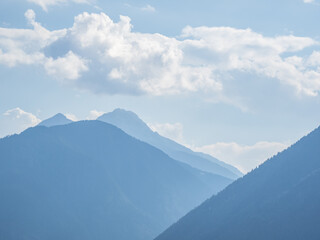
(108, 57)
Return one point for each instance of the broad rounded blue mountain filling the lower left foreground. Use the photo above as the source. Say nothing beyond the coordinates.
(90, 180)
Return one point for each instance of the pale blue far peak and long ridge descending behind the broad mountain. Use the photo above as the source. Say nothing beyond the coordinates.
(134, 126)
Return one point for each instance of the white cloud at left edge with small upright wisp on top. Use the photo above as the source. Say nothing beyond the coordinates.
(25, 46)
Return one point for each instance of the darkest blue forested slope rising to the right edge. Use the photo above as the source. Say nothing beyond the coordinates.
(279, 200)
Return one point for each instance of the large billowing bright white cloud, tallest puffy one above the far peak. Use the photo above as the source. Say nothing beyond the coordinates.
(135, 63)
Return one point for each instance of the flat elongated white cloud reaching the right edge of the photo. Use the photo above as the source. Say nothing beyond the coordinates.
(246, 51)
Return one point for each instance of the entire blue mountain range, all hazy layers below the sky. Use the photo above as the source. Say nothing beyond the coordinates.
(115, 178)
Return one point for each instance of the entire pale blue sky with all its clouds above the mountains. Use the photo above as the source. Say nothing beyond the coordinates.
(238, 79)
